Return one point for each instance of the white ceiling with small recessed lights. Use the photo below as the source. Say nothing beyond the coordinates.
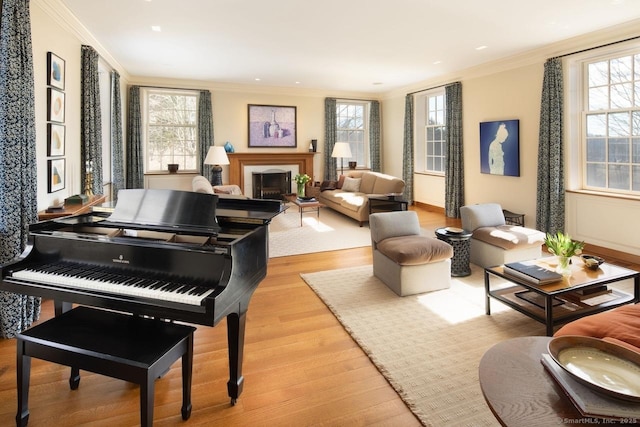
(337, 45)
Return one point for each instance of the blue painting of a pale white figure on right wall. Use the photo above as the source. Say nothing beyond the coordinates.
(500, 147)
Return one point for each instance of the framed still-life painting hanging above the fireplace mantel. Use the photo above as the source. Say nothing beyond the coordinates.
(272, 126)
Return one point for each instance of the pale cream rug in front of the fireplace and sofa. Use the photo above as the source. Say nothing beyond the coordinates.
(332, 231)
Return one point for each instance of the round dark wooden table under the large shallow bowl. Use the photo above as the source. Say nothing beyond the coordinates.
(520, 392)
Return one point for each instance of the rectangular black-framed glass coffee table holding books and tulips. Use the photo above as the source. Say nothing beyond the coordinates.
(552, 304)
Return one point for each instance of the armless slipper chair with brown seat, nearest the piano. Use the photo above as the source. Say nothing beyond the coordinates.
(404, 259)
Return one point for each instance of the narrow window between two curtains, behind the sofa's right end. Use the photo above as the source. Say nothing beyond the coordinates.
(430, 132)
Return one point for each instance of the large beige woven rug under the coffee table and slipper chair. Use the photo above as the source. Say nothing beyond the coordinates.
(427, 346)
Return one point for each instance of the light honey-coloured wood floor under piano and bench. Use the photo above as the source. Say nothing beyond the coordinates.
(300, 367)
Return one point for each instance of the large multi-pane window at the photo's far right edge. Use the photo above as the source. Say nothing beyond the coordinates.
(611, 123)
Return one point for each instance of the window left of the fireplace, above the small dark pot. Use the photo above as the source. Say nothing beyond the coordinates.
(170, 129)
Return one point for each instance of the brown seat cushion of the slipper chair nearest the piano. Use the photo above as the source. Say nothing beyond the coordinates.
(415, 249)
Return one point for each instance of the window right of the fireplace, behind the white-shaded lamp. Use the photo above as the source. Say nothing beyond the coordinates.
(353, 127)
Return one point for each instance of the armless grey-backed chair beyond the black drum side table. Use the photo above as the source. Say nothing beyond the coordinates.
(493, 241)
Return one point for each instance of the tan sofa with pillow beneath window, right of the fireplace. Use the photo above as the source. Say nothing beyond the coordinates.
(350, 195)
